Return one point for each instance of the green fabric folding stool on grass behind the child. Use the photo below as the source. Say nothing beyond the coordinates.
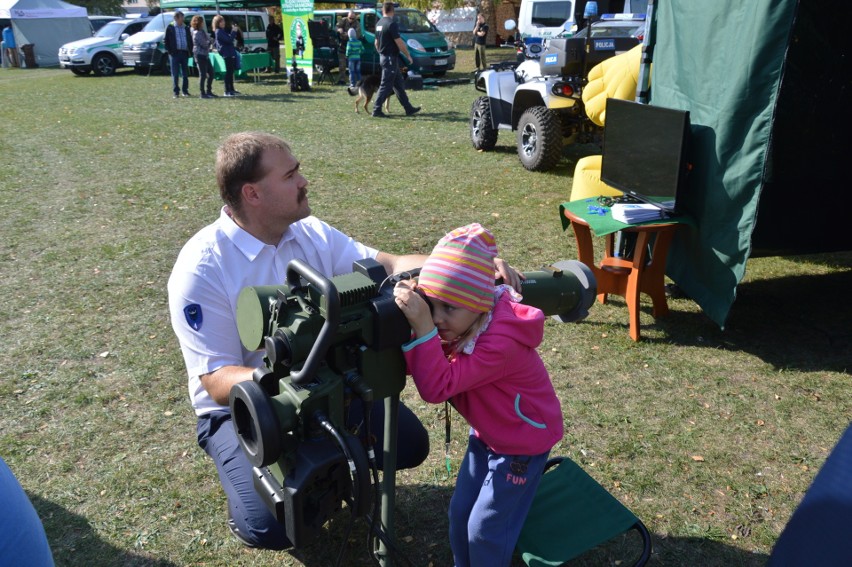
(571, 513)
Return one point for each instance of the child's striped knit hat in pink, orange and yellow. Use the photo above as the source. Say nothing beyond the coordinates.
(460, 270)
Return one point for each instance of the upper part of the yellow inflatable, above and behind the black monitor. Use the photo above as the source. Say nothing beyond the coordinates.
(616, 77)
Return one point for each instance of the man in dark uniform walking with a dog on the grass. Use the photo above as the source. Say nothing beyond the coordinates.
(389, 45)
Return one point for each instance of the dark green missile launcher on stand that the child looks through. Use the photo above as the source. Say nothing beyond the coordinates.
(327, 342)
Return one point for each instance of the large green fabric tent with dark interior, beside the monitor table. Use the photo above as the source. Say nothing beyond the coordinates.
(768, 84)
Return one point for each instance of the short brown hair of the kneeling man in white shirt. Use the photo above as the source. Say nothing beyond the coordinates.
(238, 162)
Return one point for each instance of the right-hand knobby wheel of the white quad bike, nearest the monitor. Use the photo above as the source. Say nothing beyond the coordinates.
(539, 139)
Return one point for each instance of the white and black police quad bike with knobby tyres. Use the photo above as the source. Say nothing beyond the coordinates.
(540, 100)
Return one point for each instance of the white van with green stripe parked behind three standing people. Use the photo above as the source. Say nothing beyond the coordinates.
(146, 50)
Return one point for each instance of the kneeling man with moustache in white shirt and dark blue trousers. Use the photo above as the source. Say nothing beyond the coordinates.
(265, 223)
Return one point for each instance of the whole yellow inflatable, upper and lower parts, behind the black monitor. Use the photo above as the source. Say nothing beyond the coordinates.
(616, 77)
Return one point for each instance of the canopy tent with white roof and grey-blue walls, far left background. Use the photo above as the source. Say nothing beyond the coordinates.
(47, 24)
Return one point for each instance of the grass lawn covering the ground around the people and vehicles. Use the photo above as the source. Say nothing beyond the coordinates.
(710, 436)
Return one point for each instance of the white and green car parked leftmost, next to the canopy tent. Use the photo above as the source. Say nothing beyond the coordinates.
(100, 53)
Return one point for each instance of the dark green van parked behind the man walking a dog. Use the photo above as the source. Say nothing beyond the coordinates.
(429, 47)
